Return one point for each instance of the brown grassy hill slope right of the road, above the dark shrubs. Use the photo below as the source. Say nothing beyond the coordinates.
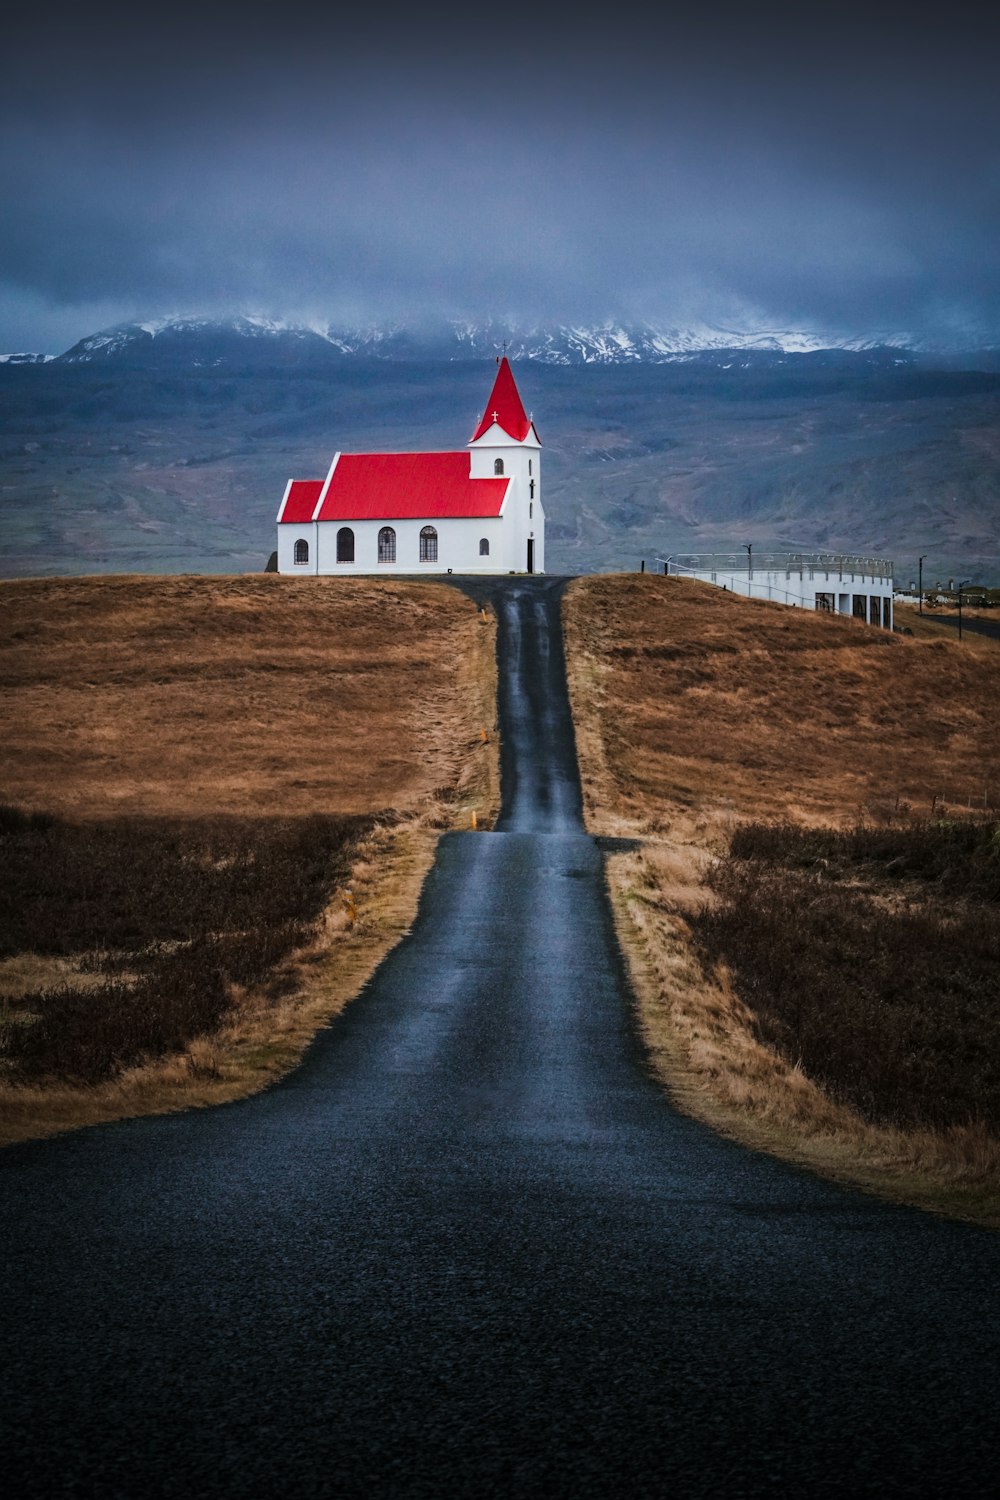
(707, 707)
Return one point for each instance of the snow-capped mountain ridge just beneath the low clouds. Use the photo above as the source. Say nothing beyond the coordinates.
(212, 343)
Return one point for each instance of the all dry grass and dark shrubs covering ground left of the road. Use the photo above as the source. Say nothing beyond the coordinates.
(230, 793)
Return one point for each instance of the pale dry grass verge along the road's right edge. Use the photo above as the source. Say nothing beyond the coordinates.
(698, 1037)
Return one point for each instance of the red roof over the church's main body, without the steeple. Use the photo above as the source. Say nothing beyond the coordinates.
(397, 487)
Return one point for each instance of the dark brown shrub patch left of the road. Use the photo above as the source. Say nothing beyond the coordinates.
(191, 908)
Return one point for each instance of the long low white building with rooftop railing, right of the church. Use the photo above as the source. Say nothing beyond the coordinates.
(836, 583)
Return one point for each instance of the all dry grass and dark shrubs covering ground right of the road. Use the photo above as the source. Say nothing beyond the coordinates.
(698, 713)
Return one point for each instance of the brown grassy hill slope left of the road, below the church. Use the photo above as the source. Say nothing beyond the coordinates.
(238, 695)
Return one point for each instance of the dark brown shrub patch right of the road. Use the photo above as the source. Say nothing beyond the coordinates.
(873, 959)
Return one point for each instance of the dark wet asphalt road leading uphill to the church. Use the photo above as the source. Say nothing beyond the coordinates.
(470, 1250)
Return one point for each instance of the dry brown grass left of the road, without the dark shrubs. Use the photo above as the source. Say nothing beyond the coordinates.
(188, 697)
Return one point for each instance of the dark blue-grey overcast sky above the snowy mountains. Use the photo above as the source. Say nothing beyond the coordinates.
(828, 169)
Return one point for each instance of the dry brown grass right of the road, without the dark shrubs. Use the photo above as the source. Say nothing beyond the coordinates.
(696, 710)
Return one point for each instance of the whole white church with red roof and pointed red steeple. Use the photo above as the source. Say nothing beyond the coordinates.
(478, 511)
